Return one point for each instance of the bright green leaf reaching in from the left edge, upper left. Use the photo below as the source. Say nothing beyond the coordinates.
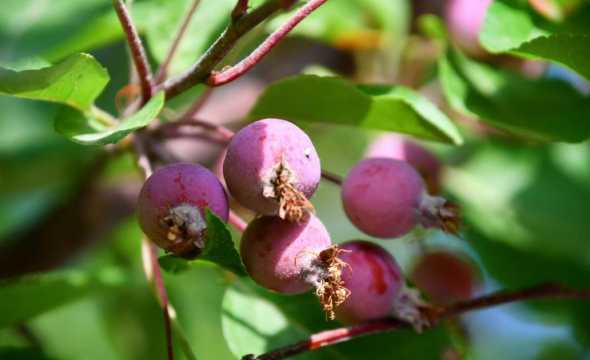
(77, 81)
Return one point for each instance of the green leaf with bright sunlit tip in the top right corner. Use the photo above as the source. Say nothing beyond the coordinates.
(511, 26)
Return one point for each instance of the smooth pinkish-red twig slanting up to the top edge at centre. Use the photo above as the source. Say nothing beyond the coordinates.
(234, 72)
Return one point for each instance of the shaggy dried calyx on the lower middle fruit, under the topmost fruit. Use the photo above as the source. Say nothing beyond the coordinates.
(324, 272)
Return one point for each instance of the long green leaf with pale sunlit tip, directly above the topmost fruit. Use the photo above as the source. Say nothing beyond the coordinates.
(333, 100)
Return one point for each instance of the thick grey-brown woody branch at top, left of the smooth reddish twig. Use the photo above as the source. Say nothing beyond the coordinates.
(200, 71)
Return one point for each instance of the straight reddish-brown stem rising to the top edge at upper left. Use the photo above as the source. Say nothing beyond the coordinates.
(137, 50)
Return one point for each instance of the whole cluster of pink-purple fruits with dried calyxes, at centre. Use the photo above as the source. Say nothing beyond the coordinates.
(272, 168)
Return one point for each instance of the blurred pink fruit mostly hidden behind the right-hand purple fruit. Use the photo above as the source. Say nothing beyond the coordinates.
(397, 147)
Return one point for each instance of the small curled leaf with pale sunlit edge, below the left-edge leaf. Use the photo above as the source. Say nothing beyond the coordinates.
(89, 130)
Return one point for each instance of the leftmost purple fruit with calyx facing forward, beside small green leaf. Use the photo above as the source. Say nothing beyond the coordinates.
(171, 207)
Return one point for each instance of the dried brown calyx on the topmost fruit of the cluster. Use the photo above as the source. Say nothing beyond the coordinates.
(293, 205)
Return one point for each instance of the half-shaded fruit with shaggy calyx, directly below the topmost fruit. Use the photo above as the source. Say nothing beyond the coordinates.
(293, 257)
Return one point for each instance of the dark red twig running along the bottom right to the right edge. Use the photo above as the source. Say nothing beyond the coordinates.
(331, 337)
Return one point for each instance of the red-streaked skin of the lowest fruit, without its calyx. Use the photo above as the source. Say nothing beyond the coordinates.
(374, 280)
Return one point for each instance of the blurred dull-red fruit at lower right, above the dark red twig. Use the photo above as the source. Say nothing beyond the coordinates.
(444, 277)
